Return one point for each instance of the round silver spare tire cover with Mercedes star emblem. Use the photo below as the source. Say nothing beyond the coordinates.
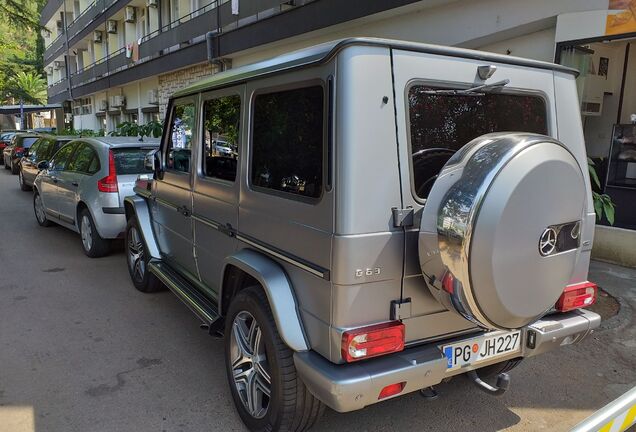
(500, 230)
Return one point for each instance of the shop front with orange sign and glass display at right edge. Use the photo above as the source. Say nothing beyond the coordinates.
(602, 46)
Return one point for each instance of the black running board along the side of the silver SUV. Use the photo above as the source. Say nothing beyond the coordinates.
(203, 307)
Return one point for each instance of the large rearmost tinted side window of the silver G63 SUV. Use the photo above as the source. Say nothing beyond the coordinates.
(287, 143)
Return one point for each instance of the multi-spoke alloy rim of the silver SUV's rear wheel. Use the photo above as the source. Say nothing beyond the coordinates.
(249, 365)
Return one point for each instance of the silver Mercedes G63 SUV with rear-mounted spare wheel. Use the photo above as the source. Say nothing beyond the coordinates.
(392, 214)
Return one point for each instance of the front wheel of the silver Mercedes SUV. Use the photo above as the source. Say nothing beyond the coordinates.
(142, 279)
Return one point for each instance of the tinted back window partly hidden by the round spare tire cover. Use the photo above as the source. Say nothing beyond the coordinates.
(440, 125)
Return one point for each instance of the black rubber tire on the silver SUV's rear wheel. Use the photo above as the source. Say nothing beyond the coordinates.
(291, 407)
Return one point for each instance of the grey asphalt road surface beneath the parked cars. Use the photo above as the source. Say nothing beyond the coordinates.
(81, 350)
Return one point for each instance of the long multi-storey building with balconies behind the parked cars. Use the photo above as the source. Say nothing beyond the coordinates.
(110, 61)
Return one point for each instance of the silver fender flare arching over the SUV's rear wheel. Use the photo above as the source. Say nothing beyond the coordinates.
(279, 293)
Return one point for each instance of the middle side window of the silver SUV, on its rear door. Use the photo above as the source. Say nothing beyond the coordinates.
(221, 117)
